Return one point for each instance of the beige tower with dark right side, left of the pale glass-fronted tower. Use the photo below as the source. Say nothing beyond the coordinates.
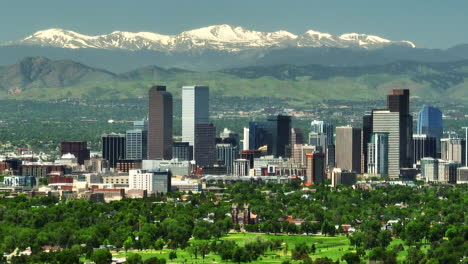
(348, 148)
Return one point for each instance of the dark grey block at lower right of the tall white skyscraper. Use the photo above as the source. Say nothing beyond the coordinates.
(204, 145)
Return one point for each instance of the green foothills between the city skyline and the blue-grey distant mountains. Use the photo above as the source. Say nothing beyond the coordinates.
(40, 78)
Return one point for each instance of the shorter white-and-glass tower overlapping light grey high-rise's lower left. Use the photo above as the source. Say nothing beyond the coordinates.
(378, 155)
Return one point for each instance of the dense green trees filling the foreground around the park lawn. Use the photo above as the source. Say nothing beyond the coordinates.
(433, 216)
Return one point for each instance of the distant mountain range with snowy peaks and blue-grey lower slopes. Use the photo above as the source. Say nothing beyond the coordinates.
(219, 47)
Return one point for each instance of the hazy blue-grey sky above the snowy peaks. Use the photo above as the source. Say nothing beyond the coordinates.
(428, 23)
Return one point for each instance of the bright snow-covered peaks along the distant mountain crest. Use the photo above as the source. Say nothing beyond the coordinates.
(217, 37)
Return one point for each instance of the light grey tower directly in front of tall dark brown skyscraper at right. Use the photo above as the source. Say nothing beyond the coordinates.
(385, 121)
